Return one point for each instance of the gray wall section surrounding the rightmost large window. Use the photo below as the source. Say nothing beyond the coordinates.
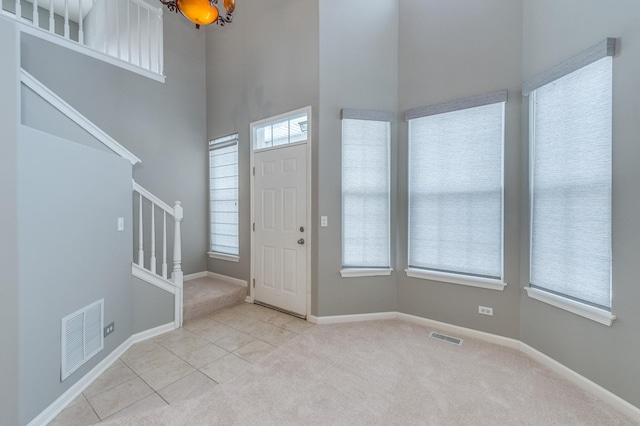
(554, 31)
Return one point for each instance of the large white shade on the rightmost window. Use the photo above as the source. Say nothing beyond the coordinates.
(571, 197)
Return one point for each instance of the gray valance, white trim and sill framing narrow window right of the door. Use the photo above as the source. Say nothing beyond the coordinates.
(348, 271)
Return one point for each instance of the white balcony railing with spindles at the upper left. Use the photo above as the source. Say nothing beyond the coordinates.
(127, 33)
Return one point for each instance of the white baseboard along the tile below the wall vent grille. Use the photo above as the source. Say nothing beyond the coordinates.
(50, 413)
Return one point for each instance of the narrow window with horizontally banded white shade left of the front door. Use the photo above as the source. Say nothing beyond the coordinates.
(223, 190)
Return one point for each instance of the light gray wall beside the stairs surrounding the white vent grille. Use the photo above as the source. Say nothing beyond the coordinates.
(70, 254)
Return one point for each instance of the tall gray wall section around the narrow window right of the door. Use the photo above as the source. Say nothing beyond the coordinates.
(358, 69)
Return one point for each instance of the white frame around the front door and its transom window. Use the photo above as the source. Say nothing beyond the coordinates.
(309, 234)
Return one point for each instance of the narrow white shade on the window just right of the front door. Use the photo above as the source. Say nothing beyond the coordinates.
(365, 193)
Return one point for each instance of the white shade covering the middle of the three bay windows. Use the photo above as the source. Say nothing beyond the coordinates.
(455, 191)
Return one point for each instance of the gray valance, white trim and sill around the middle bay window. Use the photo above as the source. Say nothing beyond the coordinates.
(499, 96)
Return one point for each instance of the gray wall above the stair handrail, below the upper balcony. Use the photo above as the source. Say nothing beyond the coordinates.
(163, 124)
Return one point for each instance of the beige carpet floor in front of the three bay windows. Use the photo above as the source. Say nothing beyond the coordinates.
(388, 373)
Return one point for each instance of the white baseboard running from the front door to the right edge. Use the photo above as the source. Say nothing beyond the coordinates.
(582, 382)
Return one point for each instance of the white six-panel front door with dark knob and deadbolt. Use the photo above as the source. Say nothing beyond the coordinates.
(280, 247)
